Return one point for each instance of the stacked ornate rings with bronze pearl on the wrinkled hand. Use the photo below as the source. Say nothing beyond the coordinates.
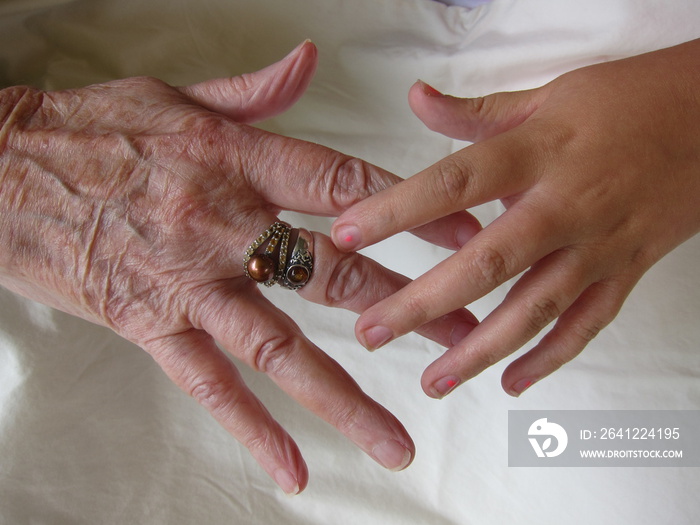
(269, 261)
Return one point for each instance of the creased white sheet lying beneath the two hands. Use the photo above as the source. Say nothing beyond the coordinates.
(92, 432)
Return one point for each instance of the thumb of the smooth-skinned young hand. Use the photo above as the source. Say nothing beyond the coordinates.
(472, 119)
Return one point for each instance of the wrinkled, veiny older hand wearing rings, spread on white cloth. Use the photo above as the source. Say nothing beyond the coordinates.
(131, 204)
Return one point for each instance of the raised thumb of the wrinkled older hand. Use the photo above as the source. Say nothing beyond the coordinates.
(256, 96)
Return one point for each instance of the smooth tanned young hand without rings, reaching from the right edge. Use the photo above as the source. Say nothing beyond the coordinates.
(600, 174)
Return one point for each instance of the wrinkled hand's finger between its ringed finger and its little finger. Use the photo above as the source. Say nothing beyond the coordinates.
(269, 341)
